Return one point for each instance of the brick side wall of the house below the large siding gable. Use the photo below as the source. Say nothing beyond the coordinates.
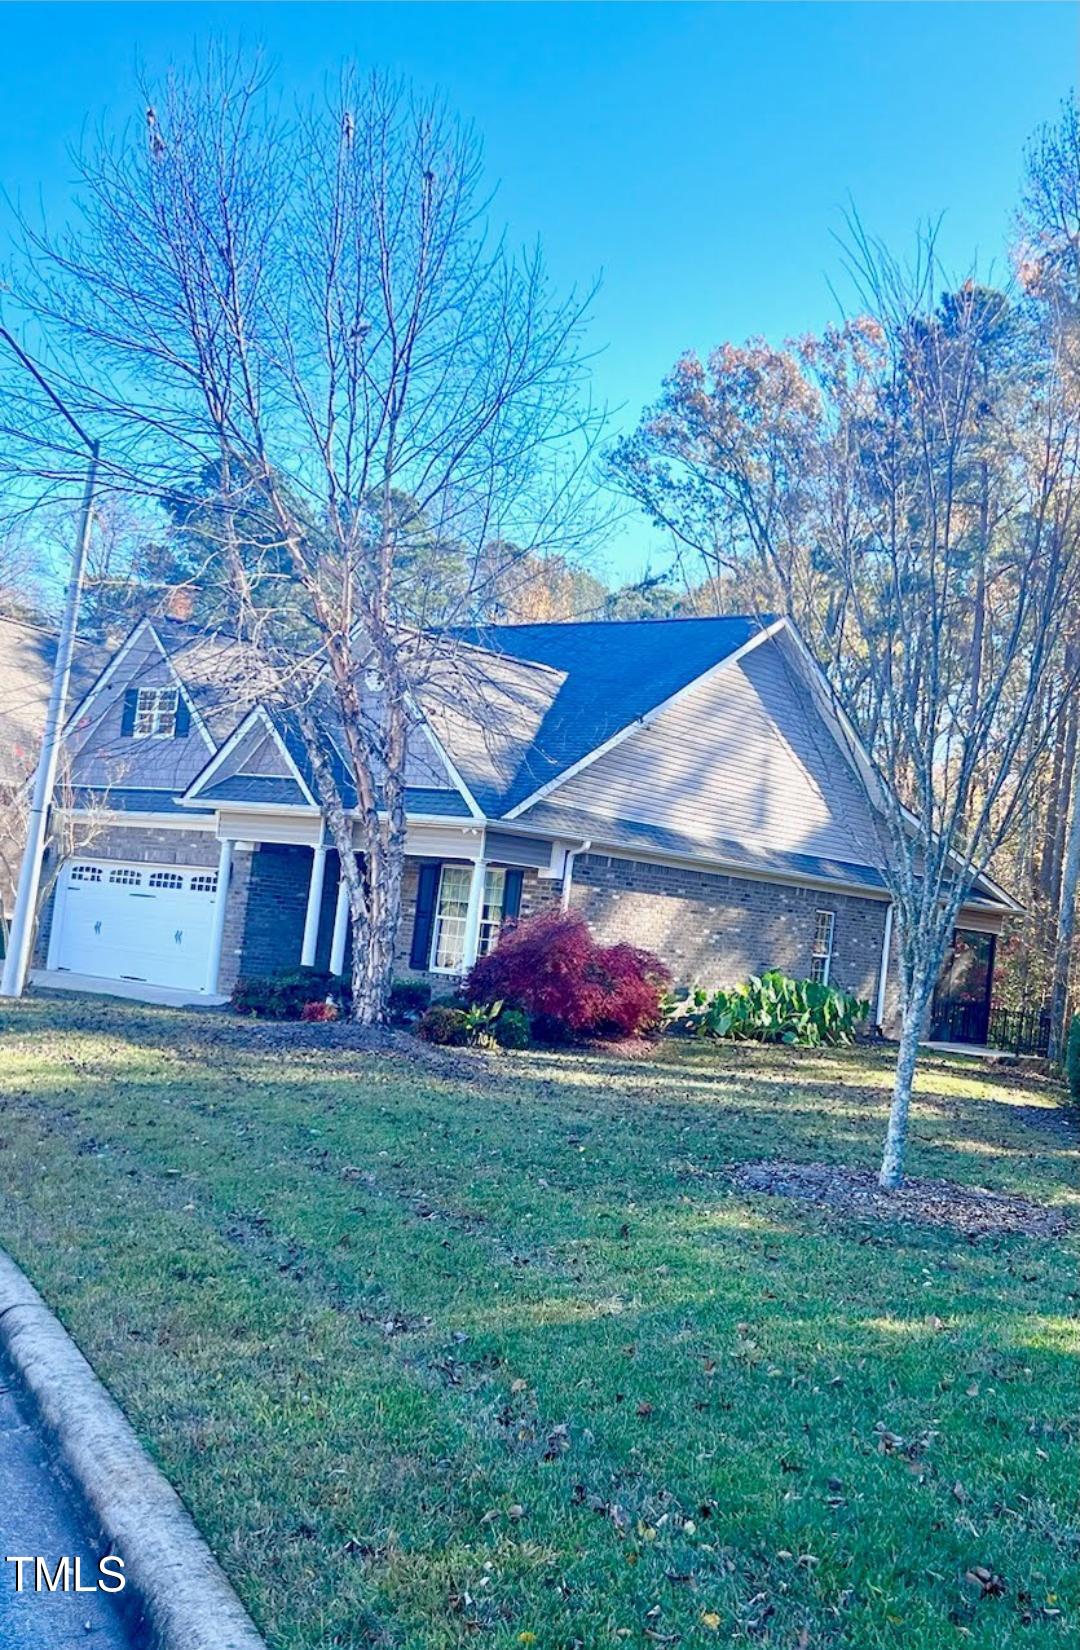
(716, 930)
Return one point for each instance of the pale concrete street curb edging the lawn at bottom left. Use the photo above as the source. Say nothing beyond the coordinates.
(172, 1577)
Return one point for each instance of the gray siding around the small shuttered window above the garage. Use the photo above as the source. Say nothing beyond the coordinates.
(105, 758)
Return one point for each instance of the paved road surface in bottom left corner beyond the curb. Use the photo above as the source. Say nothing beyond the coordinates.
(37, 1517)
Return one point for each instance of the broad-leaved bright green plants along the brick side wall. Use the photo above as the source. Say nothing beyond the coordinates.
(774, 1009)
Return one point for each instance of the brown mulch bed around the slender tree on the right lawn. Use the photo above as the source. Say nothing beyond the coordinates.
(969, 1210)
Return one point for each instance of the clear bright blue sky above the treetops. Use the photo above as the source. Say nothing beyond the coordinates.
(698, 158)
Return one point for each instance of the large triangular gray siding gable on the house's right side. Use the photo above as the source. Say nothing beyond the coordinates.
(743, 757)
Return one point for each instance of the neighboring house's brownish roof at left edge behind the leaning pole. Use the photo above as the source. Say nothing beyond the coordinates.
(27, 661)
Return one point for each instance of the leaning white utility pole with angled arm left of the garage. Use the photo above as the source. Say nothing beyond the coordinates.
(21, 938)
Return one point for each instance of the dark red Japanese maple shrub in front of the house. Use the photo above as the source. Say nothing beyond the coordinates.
(568, 984)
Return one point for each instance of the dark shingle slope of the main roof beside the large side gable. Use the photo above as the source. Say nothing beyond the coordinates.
(599, 677)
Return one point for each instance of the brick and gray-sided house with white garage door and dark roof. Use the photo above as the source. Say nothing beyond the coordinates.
(682, 783)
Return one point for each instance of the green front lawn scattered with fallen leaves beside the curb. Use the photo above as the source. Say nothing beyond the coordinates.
(441, 1362)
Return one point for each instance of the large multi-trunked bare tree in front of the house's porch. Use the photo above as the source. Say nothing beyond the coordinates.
(301, 331)
